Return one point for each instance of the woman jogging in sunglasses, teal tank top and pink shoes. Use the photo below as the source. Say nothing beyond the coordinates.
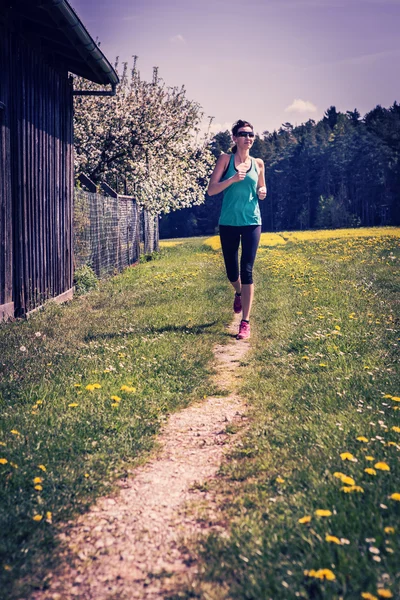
(242, 180)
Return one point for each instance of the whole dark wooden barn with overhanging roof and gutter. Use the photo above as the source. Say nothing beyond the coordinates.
(41, 43)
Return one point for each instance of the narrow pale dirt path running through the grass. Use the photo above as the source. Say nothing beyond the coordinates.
(132, 545)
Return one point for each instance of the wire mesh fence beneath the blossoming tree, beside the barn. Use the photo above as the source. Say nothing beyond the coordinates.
(111, 233)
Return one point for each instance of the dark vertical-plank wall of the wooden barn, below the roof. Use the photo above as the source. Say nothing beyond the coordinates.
(36, 170)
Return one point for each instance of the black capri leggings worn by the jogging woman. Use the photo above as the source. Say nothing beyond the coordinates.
(230, 240)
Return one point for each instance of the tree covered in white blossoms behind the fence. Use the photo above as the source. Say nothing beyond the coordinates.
(144, 138)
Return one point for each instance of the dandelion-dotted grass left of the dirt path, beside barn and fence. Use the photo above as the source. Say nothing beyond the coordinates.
(84, 389)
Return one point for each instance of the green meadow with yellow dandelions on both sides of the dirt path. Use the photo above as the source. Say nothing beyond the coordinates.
(84, 389)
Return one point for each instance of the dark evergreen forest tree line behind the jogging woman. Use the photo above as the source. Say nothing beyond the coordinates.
(343, 171)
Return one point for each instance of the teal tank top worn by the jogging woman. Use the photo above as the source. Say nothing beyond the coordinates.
(240, 204)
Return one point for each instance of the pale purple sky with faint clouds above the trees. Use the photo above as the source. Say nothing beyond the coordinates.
(266, 61)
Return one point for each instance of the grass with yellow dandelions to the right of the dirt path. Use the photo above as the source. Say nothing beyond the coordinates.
(312, 492)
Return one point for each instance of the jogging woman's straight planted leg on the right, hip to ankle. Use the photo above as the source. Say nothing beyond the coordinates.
(250, 241)
